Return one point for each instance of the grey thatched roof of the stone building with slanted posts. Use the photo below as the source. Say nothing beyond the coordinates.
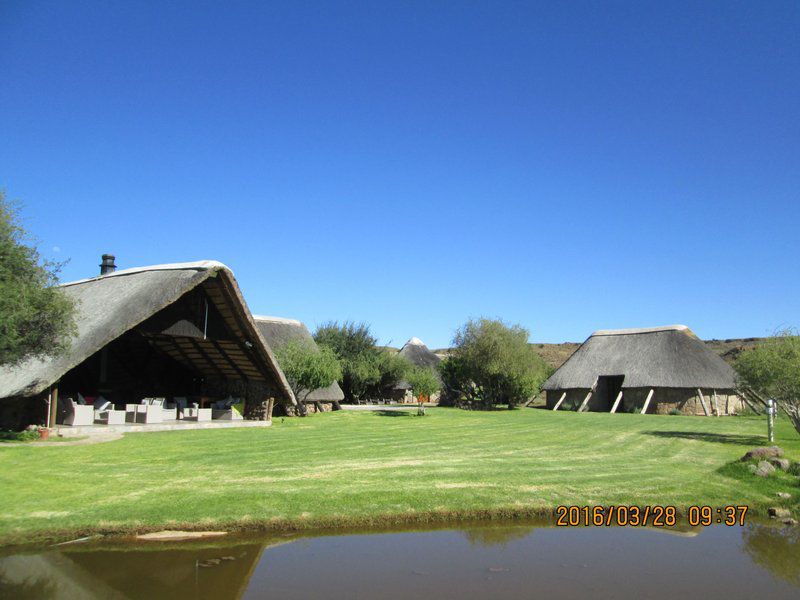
(670, 356)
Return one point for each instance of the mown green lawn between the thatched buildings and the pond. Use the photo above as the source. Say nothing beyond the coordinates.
(377, 468)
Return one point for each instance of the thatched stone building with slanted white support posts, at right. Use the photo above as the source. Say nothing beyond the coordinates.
(654, 370)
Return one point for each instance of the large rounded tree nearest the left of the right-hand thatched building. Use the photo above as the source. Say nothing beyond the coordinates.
(491, 363)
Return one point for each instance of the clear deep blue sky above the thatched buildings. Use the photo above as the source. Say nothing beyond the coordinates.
(566, 166)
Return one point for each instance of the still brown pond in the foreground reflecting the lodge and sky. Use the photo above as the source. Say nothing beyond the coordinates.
(476, 561)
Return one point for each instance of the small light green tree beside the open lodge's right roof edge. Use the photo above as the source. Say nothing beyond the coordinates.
(307, 368)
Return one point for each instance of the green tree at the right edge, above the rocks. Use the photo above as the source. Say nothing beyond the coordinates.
(772, 369)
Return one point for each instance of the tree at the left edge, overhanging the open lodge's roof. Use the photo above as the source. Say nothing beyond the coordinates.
(36, 318)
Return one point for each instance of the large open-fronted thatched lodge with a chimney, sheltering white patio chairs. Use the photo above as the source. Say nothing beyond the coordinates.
(171, 331)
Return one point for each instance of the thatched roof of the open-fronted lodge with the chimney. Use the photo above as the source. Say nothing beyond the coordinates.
(110, 305)
